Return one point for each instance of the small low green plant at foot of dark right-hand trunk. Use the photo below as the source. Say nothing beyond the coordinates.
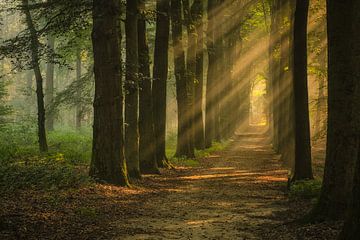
(305, 189)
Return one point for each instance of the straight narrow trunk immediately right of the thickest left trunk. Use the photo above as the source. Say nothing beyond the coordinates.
(132, 90)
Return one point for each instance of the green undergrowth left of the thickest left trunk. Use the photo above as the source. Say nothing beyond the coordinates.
(22, 167)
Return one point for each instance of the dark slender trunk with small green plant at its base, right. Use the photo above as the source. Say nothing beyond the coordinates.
(303, 168)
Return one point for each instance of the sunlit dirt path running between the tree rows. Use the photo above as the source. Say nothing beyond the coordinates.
(233, 194)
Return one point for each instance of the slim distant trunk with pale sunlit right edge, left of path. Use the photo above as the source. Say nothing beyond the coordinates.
(197, 12)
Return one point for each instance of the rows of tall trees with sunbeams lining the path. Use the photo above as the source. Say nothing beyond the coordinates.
(127, 57)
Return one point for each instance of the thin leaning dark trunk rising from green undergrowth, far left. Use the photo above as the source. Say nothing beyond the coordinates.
(35, 63)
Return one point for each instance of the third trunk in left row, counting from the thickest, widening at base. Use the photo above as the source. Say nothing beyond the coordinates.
(147, 142)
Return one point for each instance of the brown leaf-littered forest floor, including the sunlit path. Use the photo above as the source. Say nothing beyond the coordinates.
(237, 193)
